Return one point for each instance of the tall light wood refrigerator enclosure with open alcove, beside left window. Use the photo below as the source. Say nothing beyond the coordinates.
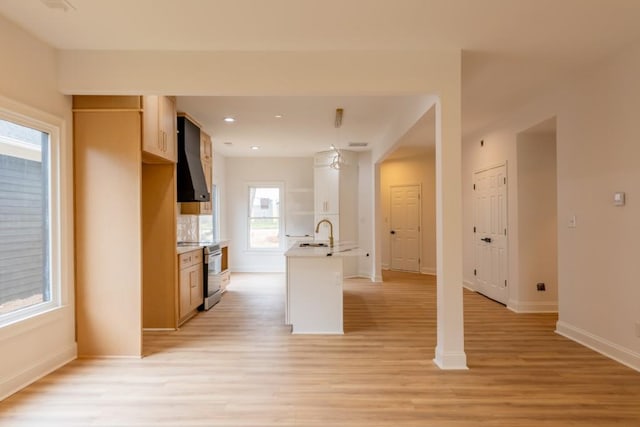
(142, 291)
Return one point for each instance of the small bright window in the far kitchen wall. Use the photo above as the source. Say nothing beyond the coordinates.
(265, 221)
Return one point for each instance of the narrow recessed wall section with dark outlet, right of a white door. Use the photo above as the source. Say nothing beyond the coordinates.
(537, 223)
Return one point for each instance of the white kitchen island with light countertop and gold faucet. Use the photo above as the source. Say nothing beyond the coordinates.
(314, 287)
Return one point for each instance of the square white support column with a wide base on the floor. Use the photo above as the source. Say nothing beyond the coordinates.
(449, 353)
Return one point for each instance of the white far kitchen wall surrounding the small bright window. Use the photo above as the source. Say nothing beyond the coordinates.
(293, 172)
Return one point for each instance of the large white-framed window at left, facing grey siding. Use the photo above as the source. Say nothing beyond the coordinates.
(27, 284)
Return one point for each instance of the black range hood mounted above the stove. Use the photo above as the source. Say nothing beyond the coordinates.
(192, 186)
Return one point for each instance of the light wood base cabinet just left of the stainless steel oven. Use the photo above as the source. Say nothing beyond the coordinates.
(190, 284)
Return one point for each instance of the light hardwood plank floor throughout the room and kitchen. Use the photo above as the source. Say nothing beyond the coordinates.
(237, 365)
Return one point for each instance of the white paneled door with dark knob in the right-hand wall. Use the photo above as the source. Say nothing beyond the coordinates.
(490, 233)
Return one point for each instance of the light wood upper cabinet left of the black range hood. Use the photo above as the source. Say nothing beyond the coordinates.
(159, 129)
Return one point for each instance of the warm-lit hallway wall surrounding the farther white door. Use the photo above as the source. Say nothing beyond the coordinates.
(414, 170)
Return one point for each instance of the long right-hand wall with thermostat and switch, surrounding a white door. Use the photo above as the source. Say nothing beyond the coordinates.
(597, 153)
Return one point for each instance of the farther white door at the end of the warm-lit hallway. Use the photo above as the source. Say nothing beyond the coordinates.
(405, 228)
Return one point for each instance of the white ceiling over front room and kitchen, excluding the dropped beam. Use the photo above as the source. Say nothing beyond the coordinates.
(512, 50)
